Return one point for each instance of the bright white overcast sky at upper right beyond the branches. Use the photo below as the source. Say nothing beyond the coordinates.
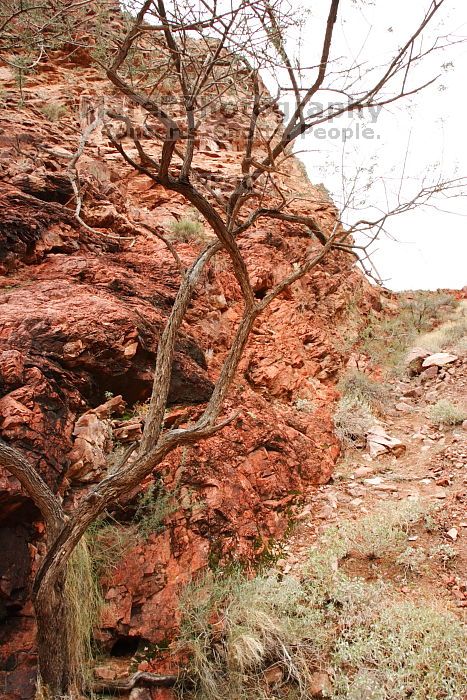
(431, 247)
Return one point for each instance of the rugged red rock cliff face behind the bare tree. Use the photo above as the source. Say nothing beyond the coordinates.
(80, 320)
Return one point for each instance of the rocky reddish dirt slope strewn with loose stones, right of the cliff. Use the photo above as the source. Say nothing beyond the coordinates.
(432, 470)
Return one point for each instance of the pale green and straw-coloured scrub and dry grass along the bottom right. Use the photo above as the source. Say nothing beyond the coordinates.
(371, 644)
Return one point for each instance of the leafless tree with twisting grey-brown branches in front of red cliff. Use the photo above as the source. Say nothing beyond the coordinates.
(210, 52)
